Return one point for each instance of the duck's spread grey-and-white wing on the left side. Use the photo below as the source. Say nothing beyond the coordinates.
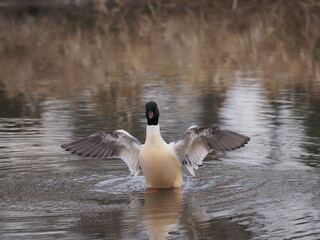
(118, 144)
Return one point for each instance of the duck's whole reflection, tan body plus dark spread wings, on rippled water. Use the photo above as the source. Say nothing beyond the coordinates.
(158, 214)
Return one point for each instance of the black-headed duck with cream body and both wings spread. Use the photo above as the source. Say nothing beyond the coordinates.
(160, 162)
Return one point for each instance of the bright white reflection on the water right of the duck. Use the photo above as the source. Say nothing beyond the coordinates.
(271, 123)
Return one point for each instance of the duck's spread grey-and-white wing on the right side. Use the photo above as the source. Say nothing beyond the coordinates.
(192, 147)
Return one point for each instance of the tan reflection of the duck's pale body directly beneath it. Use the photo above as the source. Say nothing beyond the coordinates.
(162, 211)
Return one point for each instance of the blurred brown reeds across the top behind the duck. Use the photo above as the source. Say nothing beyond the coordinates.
(59, 49)
